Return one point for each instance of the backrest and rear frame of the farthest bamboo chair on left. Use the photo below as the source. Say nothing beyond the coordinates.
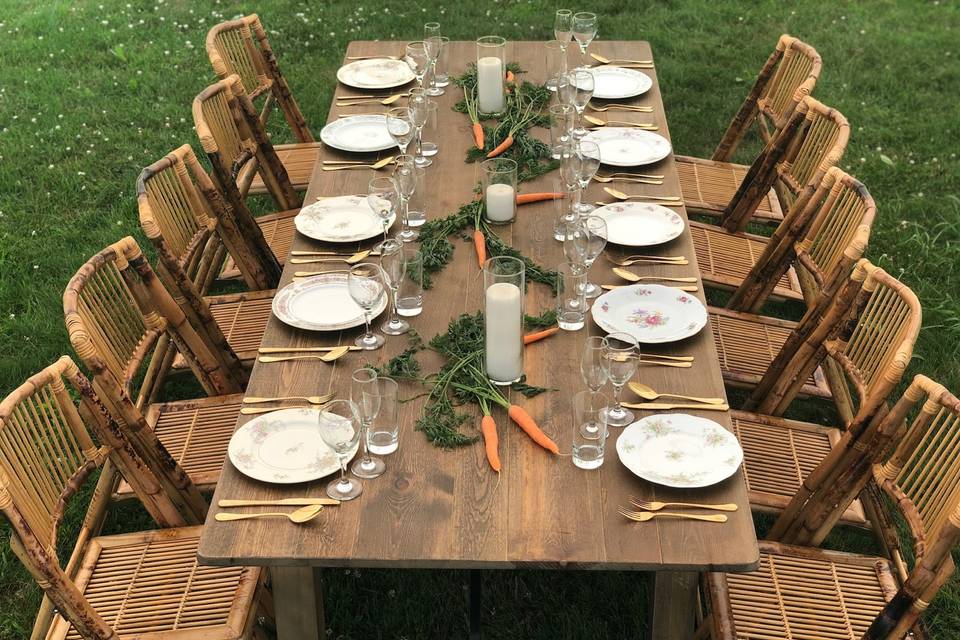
(232, 49)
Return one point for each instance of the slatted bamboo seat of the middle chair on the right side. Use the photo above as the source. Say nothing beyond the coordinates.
(747, 344)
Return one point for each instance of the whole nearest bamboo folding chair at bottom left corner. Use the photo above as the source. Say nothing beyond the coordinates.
(140, 585)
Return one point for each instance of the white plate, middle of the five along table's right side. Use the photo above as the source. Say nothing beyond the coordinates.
(639, 224)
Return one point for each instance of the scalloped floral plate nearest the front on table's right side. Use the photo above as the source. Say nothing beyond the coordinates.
(679, 450)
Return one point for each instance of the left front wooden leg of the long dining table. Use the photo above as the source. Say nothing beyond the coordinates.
(298, 603)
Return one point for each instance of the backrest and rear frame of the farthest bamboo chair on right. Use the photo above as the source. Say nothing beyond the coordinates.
(789, 75)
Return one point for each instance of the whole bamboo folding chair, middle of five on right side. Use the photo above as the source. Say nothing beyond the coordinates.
(823, 239)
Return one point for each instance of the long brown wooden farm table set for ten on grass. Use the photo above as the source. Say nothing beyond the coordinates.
(437, 508)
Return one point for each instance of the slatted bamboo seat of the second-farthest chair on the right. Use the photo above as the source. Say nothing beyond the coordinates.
(725, 259)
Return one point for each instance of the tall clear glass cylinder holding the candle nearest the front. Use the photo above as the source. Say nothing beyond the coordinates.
(503, 282)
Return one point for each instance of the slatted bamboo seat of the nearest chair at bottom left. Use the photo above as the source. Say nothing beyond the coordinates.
(149, 585)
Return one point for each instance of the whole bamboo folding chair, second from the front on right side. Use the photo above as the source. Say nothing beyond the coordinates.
(868, 328)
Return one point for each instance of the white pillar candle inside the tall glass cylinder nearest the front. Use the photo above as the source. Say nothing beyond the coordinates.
(504, 336)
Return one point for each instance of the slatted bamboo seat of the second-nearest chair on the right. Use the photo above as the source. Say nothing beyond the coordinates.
(778, 454)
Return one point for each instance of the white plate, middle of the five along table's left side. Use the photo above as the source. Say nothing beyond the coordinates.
(340, 219)
